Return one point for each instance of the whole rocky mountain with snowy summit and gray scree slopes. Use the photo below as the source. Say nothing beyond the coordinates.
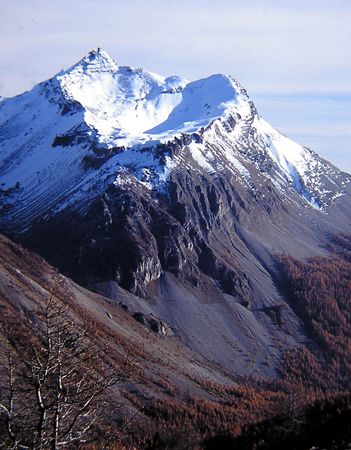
(176, 192)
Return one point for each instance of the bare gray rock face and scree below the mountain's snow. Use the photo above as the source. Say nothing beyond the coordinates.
(198, 257)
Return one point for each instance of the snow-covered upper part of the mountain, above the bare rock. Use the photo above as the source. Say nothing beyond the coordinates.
(98, 123)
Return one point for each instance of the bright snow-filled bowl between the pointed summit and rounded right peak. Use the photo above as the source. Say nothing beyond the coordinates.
(128, 106)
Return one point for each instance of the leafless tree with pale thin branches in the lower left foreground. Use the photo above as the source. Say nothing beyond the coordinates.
(55, 380)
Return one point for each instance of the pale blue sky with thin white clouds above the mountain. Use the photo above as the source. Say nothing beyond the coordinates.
(292, 56)
